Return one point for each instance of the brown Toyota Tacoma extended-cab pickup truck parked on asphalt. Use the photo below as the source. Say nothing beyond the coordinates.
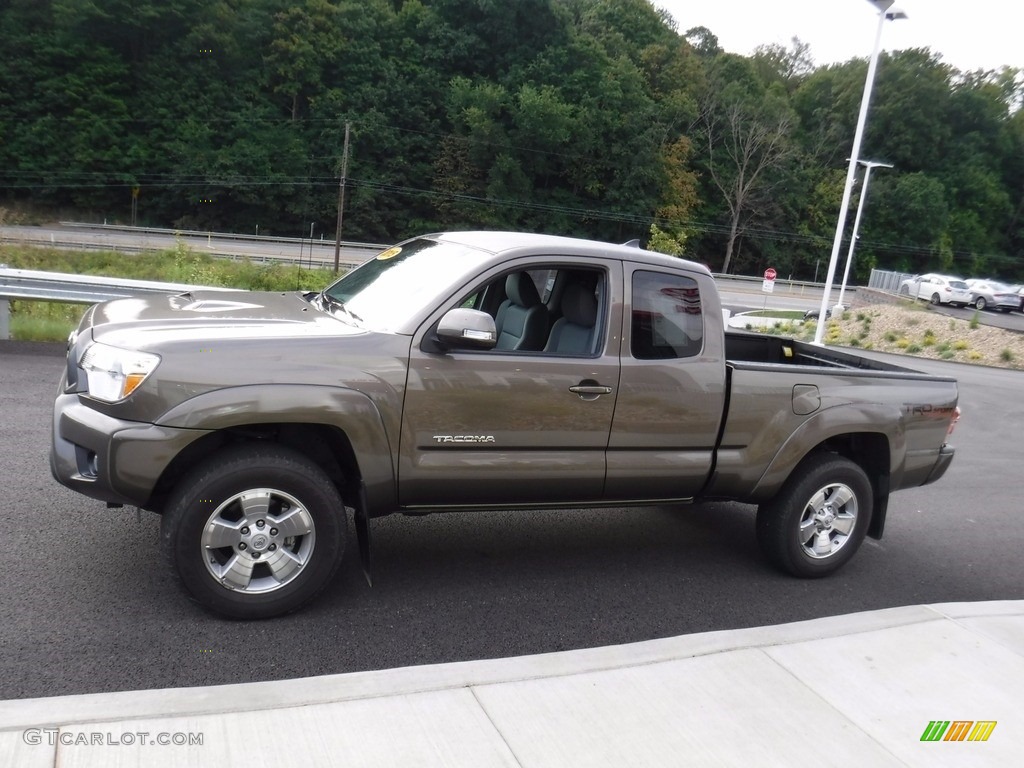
(473, 371)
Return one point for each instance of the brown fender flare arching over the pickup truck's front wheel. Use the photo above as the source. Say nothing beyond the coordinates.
(349, 410)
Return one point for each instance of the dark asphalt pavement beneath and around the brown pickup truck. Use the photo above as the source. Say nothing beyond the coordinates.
(90, 606)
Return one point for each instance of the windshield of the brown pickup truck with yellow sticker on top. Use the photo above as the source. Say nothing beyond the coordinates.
(400, 284)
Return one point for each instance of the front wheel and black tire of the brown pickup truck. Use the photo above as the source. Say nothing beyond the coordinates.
(289, 551)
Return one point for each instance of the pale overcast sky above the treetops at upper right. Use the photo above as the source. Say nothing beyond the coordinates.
(968, 34)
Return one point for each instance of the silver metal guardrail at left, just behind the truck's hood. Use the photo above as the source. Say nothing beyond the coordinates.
(77, 289)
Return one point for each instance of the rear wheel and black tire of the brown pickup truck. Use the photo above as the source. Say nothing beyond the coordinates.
(803, 532)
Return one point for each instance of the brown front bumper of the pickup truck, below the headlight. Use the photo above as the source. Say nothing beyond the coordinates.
(109, 459)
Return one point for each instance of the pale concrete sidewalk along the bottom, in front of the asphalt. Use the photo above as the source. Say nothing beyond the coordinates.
(854, 691)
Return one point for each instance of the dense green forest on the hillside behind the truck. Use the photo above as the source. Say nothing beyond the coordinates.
(594, 118)
